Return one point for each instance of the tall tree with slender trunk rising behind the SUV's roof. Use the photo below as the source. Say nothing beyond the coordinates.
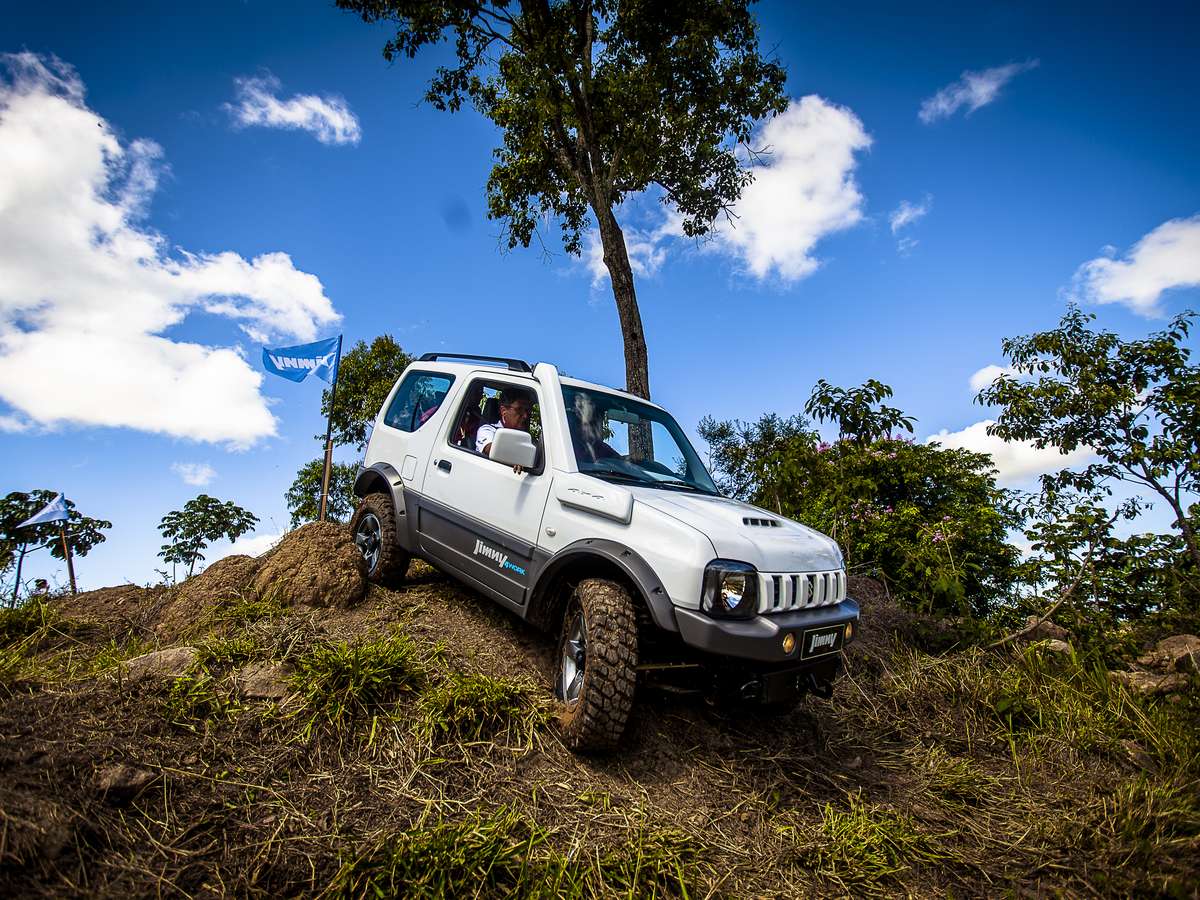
(598, 100)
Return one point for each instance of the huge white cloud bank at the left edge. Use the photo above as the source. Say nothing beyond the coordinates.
(88, 291)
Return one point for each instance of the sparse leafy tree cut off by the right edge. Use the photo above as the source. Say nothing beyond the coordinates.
(1135, 404)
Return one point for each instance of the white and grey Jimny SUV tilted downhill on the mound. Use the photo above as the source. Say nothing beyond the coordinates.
(586, 511)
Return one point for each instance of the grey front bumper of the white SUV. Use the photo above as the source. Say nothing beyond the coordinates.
(761, 638)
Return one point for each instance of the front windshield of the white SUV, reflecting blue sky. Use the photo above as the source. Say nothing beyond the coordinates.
(625, 441)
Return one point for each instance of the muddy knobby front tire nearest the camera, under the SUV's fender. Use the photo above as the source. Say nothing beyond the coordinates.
(596, 722)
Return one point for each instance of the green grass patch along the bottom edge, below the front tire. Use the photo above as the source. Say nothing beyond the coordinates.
(505, 854)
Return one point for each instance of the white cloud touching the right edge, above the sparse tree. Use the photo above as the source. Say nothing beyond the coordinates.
(1168, 257)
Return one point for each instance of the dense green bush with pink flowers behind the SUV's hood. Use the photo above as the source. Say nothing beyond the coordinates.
(928, 521)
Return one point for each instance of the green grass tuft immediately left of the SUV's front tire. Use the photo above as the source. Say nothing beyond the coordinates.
(471, 707)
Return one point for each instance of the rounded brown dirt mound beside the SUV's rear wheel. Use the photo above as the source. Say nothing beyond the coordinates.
(315, 566)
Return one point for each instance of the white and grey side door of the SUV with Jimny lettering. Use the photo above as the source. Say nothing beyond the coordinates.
(479, 517)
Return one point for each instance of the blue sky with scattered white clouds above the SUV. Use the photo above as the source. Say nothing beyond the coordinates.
(1076, 175)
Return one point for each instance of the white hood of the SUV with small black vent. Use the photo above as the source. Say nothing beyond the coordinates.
(785, 548)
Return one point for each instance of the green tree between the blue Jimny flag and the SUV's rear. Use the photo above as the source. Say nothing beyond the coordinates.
(364, 381)
